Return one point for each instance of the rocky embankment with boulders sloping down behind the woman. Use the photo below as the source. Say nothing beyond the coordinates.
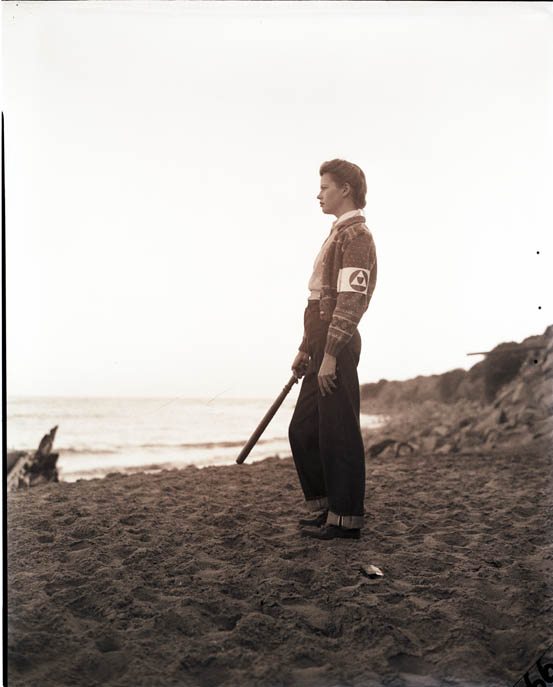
(507, 398)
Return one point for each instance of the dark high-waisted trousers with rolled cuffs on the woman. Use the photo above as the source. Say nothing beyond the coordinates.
(324, 432)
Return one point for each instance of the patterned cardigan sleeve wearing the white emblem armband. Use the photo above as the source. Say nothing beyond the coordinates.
(356, 281)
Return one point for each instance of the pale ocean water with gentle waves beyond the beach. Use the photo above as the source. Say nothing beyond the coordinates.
(97, 436)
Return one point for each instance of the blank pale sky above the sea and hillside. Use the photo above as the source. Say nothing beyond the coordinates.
(162, 170)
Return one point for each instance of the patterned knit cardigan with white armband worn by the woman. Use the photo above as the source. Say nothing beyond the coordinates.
(349, 278)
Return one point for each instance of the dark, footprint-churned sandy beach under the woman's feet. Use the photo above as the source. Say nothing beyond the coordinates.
(201, 577)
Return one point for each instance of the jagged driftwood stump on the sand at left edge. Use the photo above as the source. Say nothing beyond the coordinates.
(27, 468)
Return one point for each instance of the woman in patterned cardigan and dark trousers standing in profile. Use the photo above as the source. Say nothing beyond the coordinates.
(324, 432)
